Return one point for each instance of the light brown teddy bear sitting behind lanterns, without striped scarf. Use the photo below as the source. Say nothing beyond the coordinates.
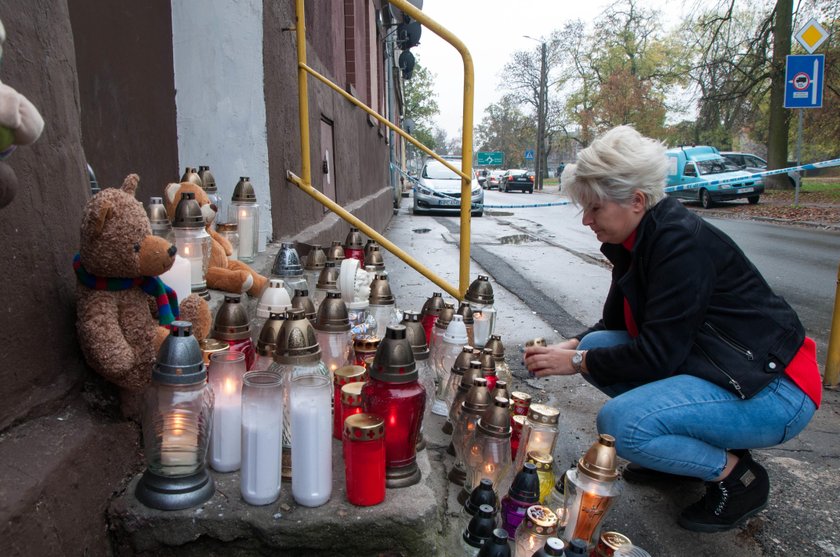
(224, 274)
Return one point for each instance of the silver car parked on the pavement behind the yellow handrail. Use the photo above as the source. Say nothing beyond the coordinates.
(439, 189)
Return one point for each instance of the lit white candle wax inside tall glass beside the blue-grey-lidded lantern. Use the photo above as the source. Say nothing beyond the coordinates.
(226, 439)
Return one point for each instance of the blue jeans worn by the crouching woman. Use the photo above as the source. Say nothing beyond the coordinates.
(684, 424)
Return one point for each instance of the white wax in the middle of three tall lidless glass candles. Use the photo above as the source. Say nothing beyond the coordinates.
(261, 455)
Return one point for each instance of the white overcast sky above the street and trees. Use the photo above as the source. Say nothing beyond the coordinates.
(492, 30)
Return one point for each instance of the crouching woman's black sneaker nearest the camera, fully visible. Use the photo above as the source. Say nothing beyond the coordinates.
(730, 502)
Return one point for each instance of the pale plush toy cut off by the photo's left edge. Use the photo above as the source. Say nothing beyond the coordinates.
(20, 124)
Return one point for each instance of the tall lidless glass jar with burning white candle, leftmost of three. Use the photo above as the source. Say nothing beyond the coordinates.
(225, 378)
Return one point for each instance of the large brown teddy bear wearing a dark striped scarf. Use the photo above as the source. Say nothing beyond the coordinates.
(117, 269)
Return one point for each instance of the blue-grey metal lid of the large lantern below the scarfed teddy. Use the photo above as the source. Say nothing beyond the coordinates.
(179, 360)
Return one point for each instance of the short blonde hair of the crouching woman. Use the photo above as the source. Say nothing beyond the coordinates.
(615, 166)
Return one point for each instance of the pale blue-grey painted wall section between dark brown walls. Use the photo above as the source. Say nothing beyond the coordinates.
(217, 50)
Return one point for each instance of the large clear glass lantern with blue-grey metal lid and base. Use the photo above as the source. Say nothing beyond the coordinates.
(177, 417)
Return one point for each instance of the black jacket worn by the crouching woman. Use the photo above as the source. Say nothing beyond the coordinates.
(700, 306)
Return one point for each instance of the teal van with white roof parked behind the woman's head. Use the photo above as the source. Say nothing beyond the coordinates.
(700, 167)
